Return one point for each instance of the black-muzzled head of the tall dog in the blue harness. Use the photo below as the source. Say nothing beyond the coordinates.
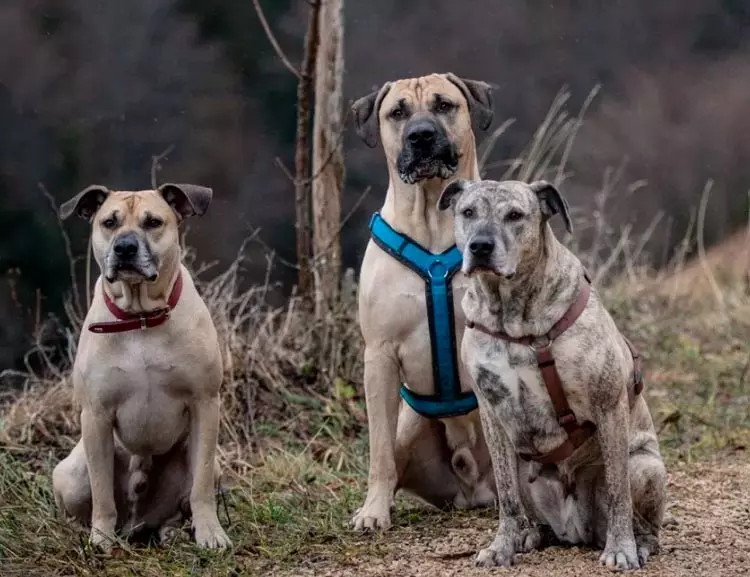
(425, 123)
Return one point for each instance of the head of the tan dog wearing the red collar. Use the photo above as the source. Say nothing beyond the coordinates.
(135, 233)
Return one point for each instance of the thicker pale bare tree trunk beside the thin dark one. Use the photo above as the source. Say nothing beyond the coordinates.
(328, 161)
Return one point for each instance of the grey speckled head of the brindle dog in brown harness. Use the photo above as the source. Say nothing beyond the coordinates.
(500, 226)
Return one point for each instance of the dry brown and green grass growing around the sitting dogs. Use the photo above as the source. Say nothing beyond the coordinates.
(293, 436)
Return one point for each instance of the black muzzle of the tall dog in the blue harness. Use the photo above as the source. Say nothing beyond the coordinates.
(426, 152)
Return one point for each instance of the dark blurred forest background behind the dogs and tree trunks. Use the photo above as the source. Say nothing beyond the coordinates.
(90, 91)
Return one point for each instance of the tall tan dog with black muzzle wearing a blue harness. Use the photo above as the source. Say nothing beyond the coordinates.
(432, 443)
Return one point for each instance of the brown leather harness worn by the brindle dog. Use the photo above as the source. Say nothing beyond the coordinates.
(578, 433)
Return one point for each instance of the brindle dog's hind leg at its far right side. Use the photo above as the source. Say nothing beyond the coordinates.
(648, 482)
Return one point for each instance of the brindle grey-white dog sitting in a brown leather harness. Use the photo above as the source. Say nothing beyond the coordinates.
(572, 442)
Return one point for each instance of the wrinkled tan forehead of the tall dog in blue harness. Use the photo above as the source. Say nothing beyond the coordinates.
(420, 94)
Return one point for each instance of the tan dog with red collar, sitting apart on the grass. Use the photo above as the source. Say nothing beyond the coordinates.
(147, 374)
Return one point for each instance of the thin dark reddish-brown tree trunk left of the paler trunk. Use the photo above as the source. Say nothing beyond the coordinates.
(302, 152)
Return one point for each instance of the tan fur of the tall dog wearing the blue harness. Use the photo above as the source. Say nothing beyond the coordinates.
(407, 450)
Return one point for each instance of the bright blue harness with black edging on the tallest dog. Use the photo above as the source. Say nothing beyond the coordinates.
(437, 270)
